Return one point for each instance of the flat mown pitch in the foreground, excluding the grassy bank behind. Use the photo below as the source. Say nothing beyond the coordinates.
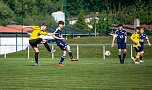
(86, 74)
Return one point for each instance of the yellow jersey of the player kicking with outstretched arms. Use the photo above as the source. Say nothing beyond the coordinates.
(37, 32)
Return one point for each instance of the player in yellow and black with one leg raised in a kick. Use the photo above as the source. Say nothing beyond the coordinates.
(34, 39)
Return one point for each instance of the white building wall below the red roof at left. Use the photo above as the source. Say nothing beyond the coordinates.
(12, 42)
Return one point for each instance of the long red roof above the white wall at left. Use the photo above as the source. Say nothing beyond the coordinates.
(13, 28)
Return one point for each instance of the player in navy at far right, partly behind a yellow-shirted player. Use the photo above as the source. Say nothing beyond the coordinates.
(143, 37)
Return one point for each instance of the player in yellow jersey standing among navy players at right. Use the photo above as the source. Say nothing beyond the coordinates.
(136, 40)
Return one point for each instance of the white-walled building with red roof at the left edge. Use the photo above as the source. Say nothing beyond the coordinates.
(13, 38)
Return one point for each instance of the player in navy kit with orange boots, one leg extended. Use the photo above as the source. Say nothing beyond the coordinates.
(63, 46)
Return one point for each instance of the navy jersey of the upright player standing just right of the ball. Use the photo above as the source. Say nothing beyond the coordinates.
(120, 34)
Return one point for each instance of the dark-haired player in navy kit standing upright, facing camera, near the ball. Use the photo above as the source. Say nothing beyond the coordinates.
(121, 36)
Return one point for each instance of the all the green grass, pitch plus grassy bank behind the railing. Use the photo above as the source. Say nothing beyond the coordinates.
(91, 72)
